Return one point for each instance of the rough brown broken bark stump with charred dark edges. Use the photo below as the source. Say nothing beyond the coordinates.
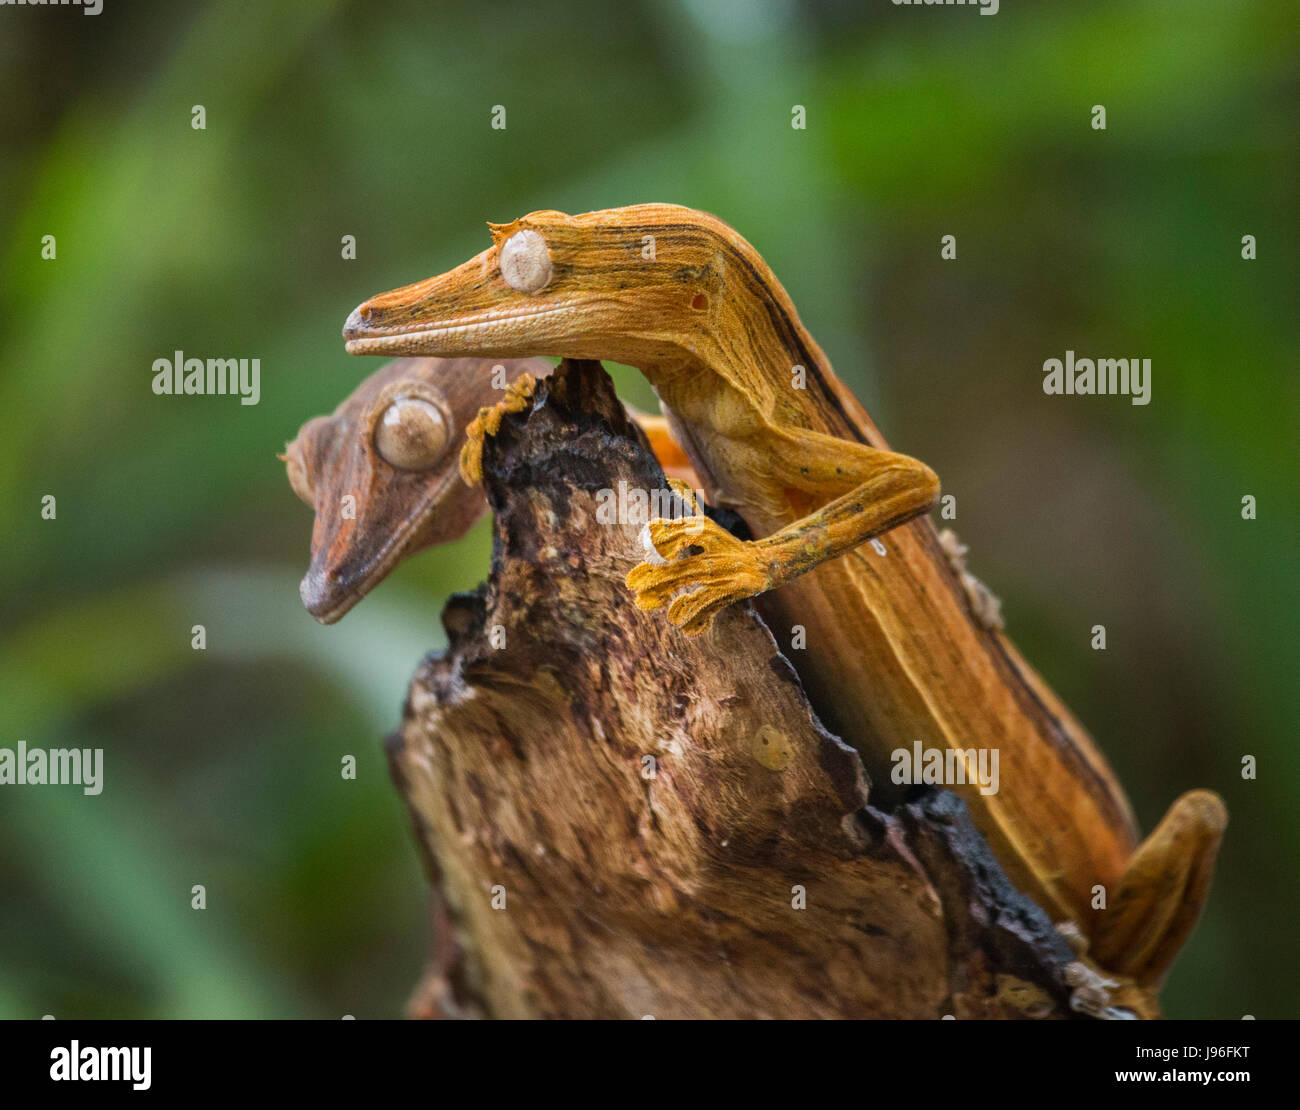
(622, 822)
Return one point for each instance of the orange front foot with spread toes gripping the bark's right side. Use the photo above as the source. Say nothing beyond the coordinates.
(725, 571)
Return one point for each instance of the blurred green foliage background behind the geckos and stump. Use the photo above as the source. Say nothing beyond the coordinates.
(374, 120)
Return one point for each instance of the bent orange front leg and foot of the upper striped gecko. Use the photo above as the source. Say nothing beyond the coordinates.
(869, 492)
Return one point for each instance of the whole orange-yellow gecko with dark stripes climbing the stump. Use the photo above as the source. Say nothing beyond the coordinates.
(896, 653)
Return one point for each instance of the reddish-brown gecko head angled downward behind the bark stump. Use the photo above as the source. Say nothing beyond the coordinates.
(383, 474)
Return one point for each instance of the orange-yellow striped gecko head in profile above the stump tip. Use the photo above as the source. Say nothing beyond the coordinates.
(623, 284)
